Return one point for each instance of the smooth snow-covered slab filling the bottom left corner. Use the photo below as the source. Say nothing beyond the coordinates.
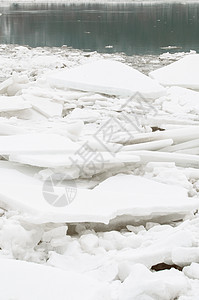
(34, 281)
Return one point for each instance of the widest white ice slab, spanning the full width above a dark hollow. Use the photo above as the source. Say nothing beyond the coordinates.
(120, 195)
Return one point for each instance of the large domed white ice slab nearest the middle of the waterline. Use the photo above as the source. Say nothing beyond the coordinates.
(108, 77)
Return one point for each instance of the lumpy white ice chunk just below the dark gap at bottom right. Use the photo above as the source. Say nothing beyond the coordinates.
(142, 284)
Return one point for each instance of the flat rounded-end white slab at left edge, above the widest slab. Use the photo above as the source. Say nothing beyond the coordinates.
(36, 143)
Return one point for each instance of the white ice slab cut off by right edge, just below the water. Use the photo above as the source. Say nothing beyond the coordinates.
(184, 73)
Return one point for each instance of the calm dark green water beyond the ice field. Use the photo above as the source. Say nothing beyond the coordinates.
(129, 28)
